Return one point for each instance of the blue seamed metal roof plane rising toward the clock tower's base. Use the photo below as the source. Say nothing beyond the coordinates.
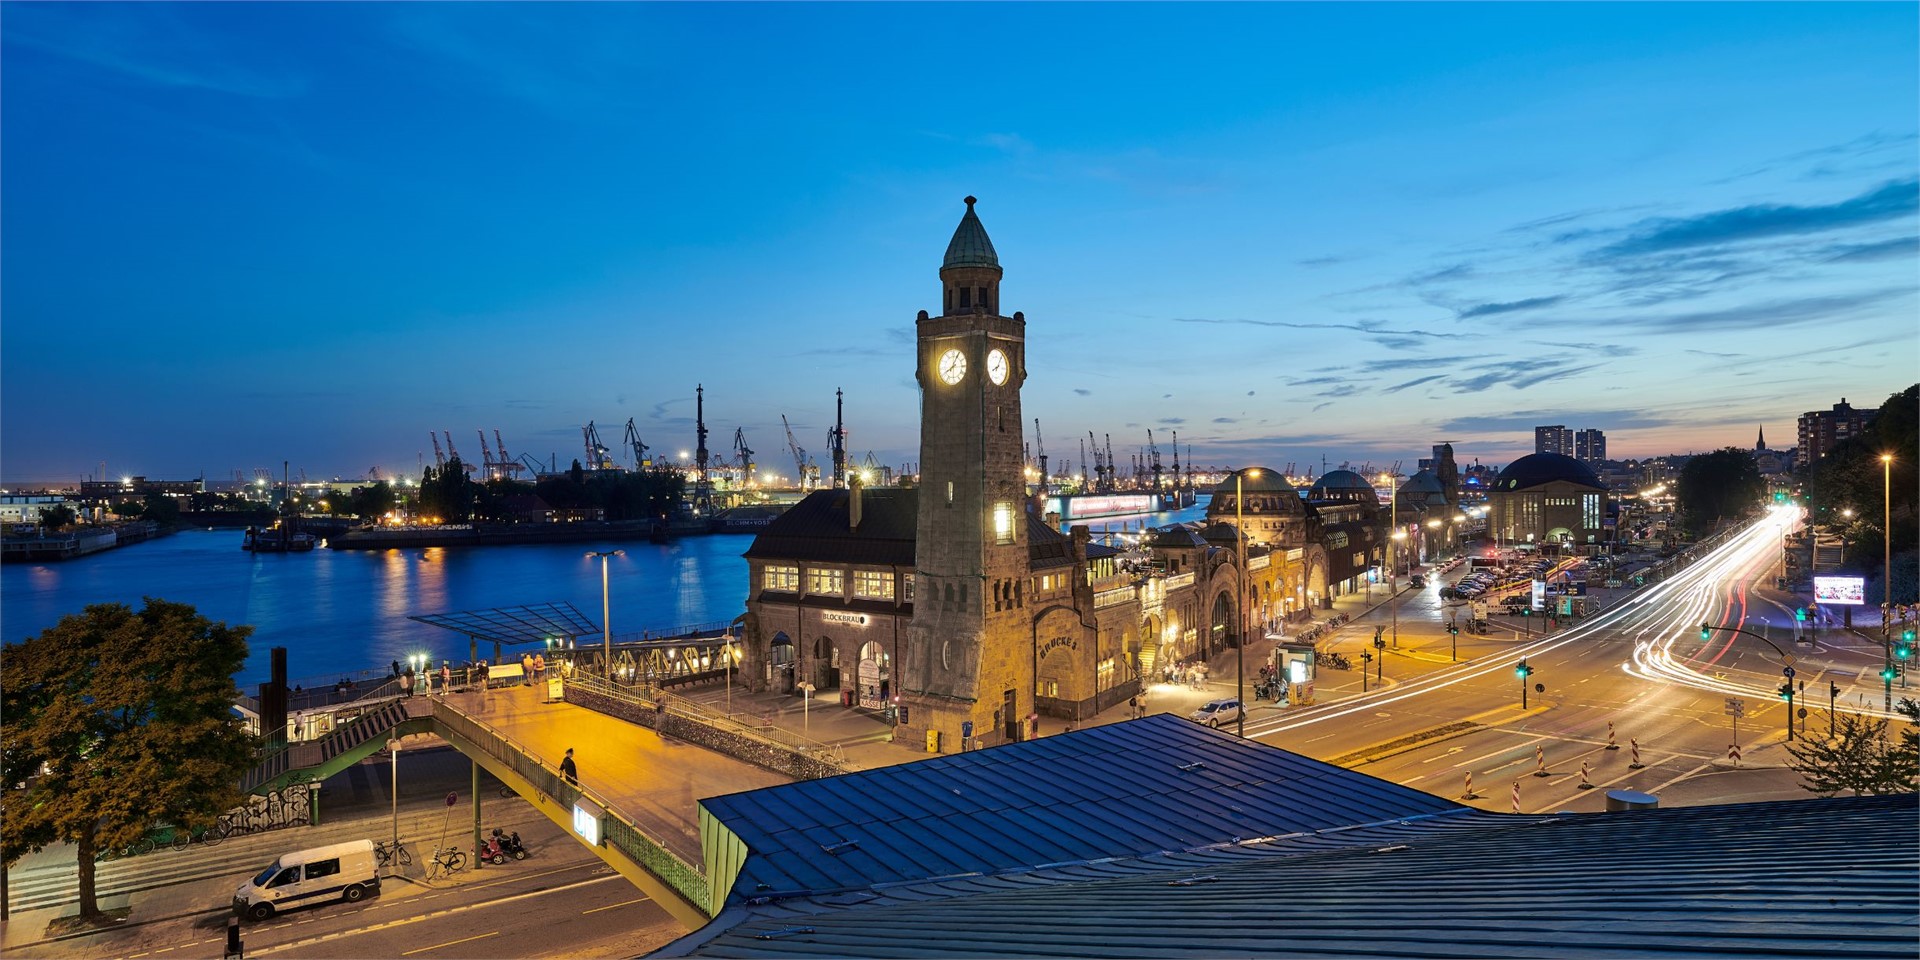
(1120, 790)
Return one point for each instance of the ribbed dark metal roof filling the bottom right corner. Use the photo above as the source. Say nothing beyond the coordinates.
(1796, 878)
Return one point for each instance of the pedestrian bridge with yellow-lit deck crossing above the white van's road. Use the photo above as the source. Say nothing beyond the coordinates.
(636, 802)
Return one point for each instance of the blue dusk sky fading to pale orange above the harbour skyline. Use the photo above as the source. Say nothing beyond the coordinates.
(239, 235)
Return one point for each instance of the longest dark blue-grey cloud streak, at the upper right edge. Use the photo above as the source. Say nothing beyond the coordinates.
(1896, 199)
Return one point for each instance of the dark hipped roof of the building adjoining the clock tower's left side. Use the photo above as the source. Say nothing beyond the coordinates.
(817, 531)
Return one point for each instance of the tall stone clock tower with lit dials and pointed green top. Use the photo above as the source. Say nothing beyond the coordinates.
(969, 650)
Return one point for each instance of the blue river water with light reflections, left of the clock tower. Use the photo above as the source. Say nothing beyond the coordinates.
(348, 612)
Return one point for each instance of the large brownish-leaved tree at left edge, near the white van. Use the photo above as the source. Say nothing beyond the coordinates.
(118, 719)
